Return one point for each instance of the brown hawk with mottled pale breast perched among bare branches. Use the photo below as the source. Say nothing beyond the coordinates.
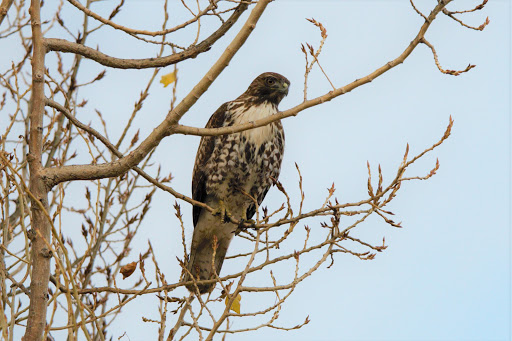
(230, 169)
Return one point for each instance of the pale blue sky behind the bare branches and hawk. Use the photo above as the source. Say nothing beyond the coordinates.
(446, 274)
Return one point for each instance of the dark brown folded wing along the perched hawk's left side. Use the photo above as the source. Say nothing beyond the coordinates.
(204, 153)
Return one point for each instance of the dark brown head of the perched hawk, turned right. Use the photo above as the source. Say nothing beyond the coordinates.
(270, 87)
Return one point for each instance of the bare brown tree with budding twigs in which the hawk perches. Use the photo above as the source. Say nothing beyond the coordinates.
(89, 241)
